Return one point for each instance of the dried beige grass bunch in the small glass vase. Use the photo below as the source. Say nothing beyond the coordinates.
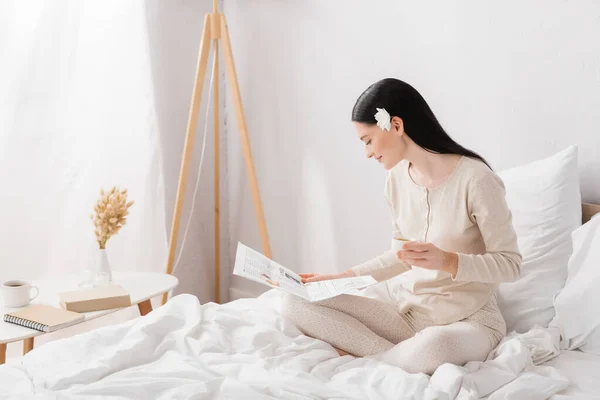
(110, 214)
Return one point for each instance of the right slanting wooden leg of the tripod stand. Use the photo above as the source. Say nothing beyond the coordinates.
(239, 111)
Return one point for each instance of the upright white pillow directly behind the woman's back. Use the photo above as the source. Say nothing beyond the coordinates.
(545, 202)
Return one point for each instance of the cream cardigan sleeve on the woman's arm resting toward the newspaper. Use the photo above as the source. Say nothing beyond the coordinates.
(386, 265)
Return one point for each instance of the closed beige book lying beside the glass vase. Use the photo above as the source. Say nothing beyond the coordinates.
(98, 298)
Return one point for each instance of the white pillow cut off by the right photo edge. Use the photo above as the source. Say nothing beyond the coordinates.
(577, 314)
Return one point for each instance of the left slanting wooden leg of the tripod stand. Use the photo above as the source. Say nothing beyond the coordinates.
(189, 143)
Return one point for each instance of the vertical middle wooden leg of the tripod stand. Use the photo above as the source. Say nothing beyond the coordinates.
(217, 177)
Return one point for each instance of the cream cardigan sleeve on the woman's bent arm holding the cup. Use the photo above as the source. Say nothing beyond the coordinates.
(489, 210)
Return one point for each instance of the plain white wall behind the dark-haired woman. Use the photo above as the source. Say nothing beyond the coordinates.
(513, 83)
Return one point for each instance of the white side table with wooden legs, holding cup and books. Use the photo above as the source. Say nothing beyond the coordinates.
(142, 286)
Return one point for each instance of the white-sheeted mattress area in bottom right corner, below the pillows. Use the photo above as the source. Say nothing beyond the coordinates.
(583, 372)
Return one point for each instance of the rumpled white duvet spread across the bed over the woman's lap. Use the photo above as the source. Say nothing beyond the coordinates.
(246, 350)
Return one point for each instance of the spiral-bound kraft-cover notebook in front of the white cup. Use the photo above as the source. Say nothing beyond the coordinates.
(43, 317)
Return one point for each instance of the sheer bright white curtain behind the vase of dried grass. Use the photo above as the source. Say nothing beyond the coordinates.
(76, 115)
